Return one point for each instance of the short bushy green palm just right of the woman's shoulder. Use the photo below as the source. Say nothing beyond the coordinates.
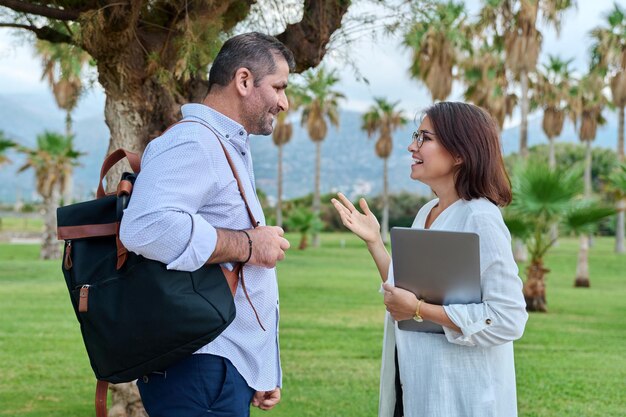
(543, 197)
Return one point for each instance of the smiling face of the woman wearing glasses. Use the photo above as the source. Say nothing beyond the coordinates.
(432, 163)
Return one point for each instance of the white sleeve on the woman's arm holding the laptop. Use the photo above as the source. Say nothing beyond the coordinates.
(501, 317)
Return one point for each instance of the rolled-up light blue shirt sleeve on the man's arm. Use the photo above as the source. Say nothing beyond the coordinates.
(162, 220)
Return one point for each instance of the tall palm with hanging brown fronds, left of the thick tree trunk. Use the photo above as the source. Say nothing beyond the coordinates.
(63, 66)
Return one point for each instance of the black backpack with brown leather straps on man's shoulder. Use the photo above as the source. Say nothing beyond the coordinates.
(135, 315)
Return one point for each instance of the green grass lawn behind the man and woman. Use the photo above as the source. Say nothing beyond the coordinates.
(570, 362)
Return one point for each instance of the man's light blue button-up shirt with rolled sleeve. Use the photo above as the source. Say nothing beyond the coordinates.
(185, 190)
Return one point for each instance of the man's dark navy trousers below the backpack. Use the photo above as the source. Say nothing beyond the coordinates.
(201, 385)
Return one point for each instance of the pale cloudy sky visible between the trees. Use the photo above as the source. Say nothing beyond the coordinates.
(384, 63)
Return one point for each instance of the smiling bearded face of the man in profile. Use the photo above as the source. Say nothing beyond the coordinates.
(267, 100)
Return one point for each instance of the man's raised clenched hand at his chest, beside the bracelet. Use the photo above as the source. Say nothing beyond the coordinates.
(268, 245)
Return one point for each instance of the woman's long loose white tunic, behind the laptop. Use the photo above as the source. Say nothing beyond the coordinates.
(468, 374)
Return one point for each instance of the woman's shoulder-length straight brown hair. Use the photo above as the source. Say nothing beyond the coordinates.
(469, 132)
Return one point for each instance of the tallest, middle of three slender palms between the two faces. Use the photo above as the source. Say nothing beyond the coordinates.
(320, 102)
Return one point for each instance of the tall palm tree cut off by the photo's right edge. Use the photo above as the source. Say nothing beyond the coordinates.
(609, 54)
